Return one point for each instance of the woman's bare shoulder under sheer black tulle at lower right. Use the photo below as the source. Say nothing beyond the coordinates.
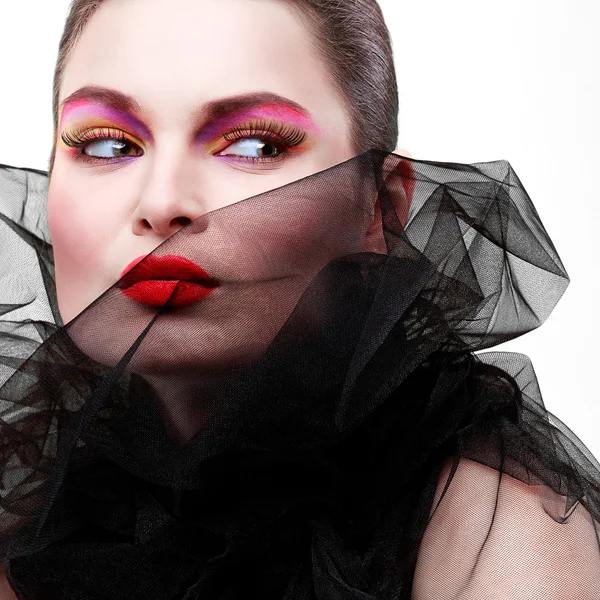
(492, 538)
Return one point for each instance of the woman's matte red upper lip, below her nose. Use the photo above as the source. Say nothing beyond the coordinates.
(167, 267)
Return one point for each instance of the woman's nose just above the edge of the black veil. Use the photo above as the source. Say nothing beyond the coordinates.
(167, 201)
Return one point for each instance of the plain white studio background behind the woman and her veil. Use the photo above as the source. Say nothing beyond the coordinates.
(479, 80)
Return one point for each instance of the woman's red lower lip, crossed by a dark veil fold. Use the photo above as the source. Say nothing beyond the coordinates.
(172, 292)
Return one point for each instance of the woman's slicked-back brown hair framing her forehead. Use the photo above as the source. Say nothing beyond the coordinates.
(352, 37)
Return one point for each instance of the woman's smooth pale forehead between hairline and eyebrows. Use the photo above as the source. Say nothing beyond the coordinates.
(179, 54)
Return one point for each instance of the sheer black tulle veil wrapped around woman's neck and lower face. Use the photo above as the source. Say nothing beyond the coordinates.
(307, 468)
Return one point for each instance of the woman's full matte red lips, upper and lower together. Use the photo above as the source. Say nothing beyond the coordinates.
(171, 279)
